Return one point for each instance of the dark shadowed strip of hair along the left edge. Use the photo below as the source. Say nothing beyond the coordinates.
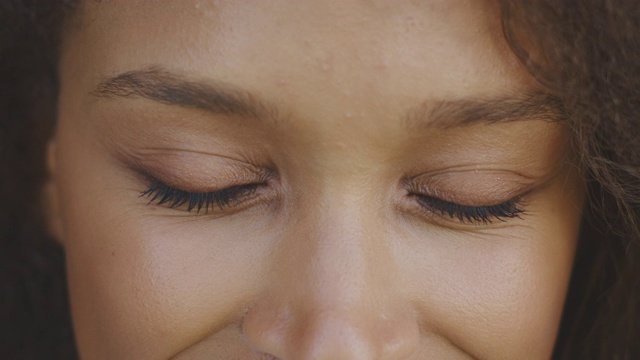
(33, 303)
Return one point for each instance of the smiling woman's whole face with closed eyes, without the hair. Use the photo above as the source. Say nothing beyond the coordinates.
(308, 180)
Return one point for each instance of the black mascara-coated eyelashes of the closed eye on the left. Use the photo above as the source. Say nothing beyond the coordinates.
(161, 194)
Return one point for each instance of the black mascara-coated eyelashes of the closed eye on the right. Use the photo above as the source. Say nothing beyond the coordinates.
(472, 214)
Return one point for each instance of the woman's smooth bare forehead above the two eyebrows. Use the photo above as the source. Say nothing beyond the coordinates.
(330, 51)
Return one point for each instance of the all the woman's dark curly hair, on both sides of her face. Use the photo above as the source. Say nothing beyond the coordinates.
(585, 53)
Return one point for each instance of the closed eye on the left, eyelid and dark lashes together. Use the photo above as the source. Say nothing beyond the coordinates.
(202, 184)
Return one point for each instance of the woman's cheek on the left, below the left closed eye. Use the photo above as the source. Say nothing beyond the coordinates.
(143, 281)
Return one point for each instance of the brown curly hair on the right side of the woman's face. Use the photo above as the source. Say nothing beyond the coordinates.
(588, 54)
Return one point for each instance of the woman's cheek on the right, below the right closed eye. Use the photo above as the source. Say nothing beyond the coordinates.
(501, 294)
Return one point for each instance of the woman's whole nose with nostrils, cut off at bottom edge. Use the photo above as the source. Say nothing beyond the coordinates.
(334, 294)
